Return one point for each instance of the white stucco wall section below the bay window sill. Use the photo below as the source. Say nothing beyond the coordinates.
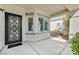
(37, 36)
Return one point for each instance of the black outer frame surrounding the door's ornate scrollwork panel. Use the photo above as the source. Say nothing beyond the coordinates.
(6, 28)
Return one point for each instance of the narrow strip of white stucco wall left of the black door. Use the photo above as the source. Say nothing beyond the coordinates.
(2, 33)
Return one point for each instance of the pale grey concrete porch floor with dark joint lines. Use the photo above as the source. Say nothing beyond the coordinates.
(42, 47)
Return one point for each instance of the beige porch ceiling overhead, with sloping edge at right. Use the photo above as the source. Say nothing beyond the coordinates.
(52, 9)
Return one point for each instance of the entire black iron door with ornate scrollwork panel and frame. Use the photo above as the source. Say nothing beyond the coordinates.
(13, 28)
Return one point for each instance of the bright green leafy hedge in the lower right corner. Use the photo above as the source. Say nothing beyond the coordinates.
(75, 44)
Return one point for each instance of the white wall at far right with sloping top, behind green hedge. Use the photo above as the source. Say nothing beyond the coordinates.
(74, 25)
